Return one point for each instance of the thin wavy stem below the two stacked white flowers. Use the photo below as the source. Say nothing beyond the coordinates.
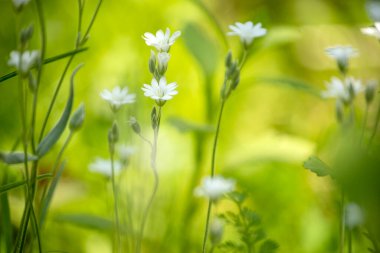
(156, 182)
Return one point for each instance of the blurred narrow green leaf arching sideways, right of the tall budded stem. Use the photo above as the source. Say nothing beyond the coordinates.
(295, 84)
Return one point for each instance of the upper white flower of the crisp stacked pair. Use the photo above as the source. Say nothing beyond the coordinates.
(162, 41)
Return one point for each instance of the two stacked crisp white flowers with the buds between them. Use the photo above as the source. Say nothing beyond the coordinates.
(159, 90)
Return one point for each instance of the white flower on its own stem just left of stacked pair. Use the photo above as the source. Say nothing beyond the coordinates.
(118, 97)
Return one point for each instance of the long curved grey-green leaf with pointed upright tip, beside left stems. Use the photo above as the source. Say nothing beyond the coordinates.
(52, 137)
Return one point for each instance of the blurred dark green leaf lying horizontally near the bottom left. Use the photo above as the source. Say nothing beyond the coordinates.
(87, 221)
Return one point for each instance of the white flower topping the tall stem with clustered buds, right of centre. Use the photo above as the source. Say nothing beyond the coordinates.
(247, 32)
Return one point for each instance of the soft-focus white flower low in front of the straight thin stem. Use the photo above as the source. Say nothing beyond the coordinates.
(214, 187)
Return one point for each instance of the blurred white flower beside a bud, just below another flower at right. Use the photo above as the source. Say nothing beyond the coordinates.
(344, 90)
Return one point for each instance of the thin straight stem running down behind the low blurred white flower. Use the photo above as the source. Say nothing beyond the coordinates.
(212, 172)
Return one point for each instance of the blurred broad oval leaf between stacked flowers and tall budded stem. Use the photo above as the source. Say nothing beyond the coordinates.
(201, 47)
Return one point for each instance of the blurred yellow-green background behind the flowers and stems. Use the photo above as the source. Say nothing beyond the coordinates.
(269, 127)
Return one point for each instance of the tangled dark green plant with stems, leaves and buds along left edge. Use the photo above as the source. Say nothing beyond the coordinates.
(29, 64)
